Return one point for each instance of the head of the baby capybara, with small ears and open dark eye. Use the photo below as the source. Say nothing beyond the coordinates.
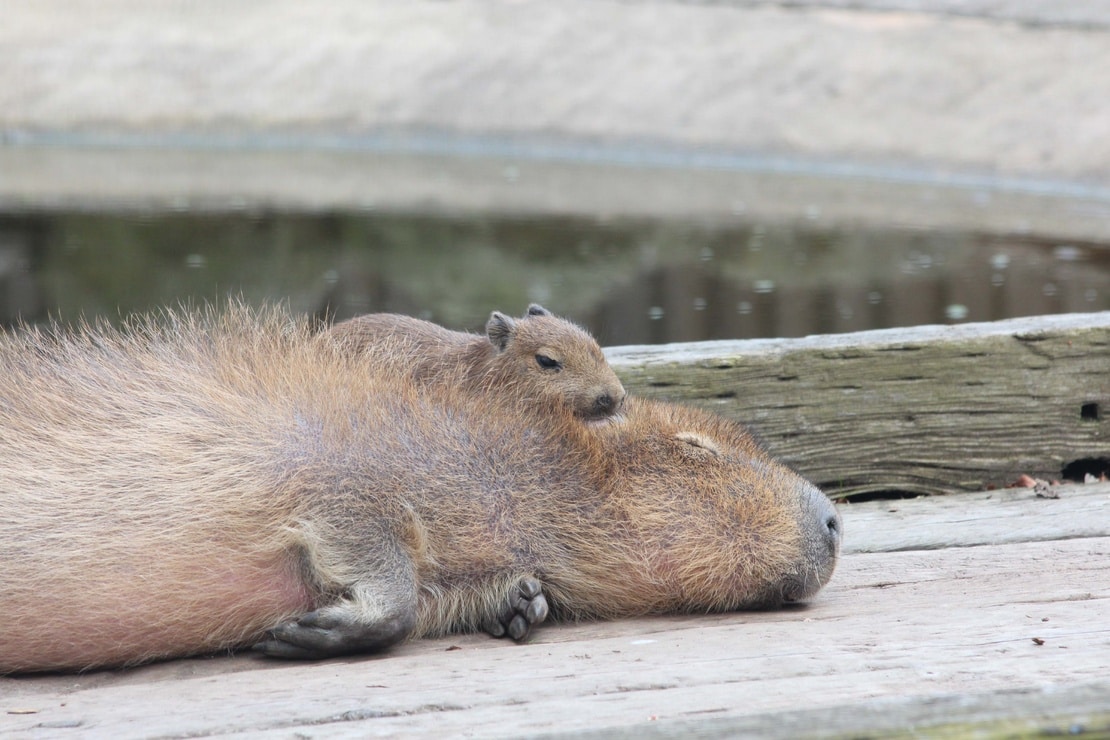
(557, 359)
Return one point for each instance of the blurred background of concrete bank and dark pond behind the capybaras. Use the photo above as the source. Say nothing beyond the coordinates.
(659, 170)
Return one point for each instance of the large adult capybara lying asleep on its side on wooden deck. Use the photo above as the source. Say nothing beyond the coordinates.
(219, 480)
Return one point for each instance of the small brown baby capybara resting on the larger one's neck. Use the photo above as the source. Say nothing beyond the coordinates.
(538, 358)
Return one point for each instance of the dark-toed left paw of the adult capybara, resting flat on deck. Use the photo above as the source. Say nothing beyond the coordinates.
(334, 632)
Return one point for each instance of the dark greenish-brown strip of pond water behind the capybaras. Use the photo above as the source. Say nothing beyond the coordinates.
(630, 281)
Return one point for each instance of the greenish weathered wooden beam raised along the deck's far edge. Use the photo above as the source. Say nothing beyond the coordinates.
(926, 410)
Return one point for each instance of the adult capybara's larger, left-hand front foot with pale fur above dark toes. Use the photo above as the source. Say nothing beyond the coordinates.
(352, 625)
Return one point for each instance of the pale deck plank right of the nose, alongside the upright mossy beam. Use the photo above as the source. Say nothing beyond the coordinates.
(997, 518)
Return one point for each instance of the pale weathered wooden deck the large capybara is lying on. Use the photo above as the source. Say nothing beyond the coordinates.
(976, 612)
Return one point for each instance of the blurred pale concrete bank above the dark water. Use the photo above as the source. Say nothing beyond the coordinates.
(907, 113)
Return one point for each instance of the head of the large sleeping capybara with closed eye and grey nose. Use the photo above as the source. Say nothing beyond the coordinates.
(704, 520)
